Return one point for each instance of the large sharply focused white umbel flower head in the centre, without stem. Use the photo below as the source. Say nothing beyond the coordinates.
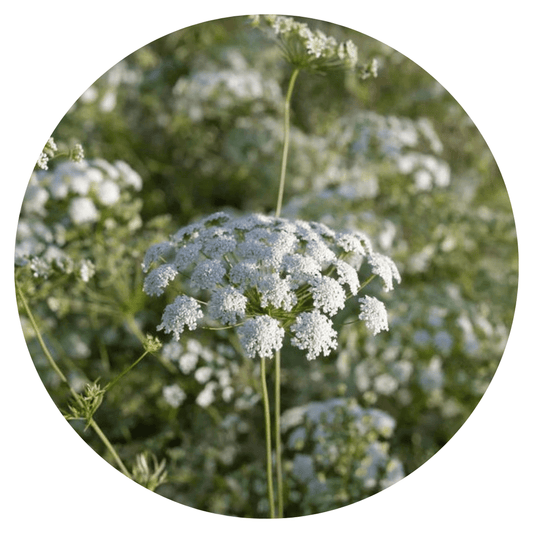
(269, 277)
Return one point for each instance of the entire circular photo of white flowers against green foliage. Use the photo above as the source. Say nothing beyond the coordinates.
(266, 266)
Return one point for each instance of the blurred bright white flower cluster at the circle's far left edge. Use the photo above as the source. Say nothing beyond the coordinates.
(70, 195)
